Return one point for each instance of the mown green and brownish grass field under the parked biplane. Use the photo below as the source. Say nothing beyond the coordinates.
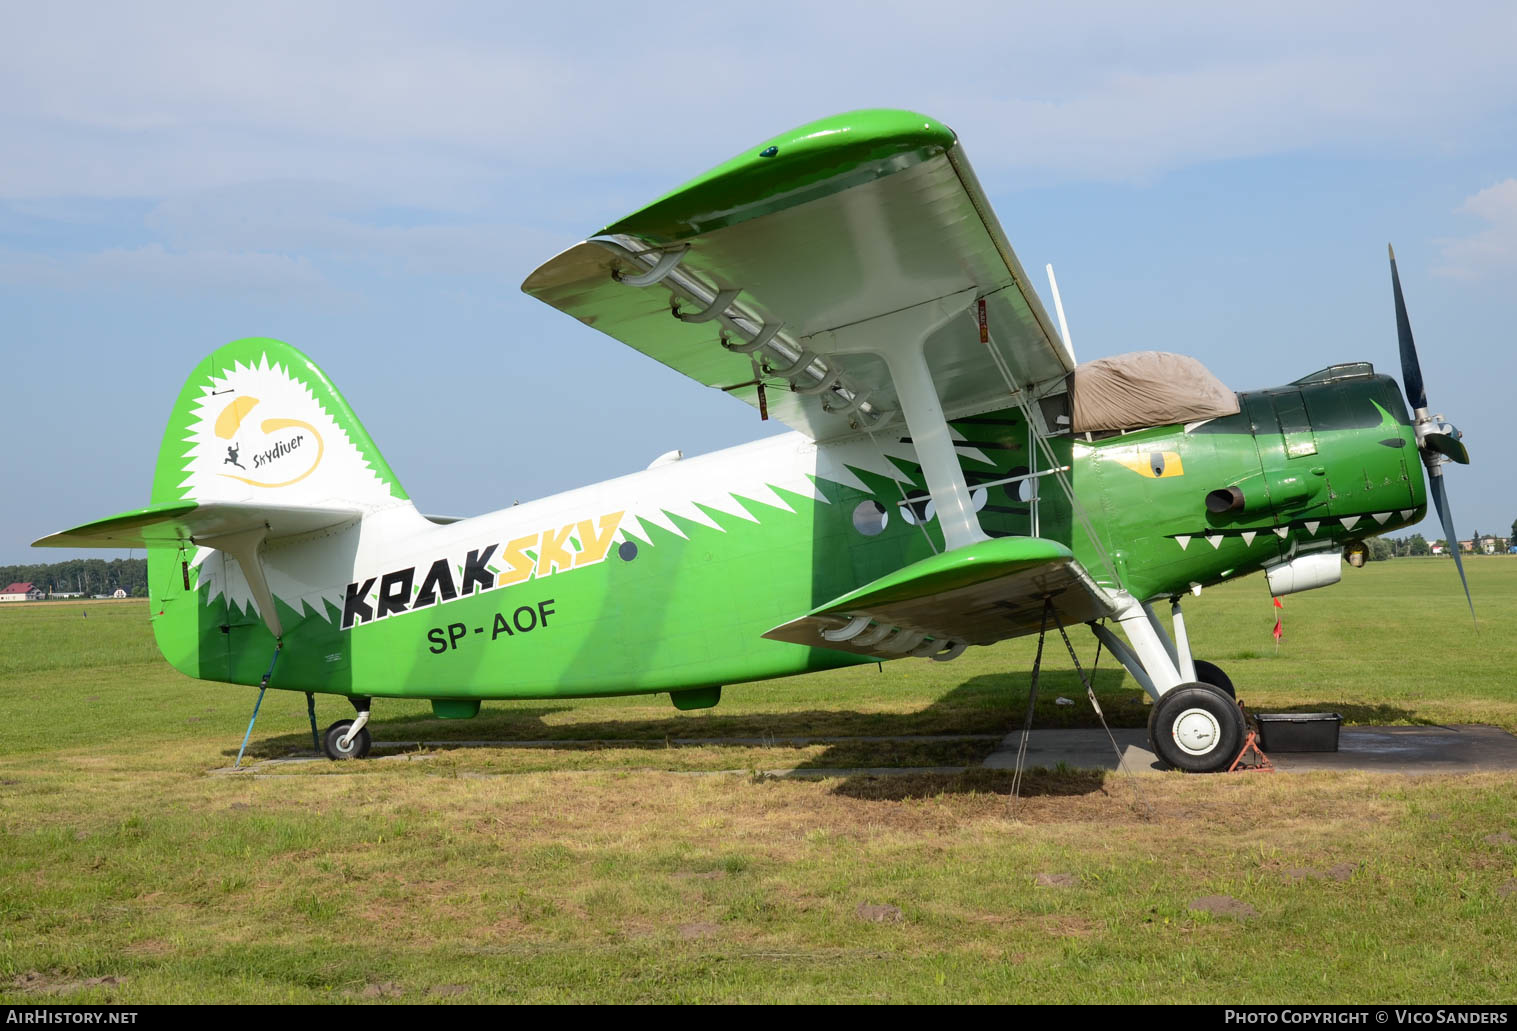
(624, 866)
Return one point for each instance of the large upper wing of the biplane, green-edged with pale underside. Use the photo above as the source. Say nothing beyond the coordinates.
(826, 227)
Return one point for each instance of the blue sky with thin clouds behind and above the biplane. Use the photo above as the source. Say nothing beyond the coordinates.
(372, 183)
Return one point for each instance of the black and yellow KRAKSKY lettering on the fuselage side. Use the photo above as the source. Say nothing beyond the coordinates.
(551, 553)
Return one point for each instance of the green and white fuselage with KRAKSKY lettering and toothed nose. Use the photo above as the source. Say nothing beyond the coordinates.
(668, 578)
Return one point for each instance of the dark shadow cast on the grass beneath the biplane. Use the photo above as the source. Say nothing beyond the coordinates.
(990, 706)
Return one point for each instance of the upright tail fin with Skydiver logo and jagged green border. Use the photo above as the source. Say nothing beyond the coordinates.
(259, 422)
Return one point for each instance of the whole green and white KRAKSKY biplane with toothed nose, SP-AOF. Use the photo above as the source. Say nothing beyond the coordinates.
(953, 477)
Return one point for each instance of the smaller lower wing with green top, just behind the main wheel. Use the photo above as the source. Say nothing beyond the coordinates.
(978, 595)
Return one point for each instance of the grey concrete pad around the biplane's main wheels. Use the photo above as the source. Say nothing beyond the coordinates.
(1393, 750)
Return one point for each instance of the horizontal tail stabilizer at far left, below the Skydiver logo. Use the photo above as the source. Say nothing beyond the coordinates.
(184, 522)
